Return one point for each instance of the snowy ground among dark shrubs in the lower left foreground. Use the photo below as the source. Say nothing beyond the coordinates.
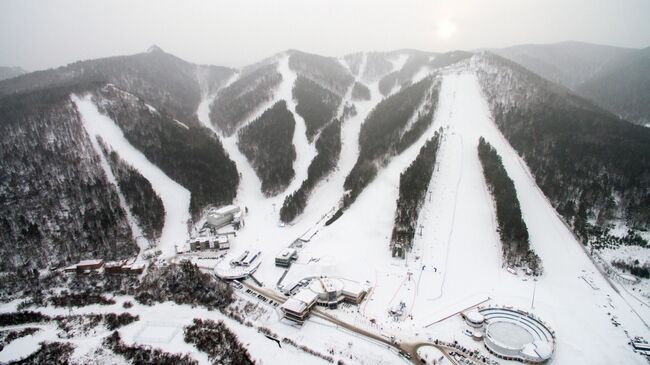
(169, 318)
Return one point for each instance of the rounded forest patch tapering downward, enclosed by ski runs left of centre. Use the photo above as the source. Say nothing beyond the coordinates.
(267, 142)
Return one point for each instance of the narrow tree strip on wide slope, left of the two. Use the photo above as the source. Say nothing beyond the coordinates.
(413, 186)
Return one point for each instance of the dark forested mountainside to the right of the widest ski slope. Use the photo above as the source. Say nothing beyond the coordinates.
(593, 166)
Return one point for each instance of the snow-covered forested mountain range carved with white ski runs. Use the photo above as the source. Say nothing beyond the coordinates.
(439, 180)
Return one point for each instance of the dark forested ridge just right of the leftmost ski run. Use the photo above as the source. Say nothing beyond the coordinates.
(190, 156)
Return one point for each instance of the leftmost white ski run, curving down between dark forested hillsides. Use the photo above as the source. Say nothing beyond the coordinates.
(175, 198)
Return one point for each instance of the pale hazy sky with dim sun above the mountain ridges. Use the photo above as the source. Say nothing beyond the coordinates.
(47, 33)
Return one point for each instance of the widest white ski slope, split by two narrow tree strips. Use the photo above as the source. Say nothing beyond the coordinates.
(456, 262)
